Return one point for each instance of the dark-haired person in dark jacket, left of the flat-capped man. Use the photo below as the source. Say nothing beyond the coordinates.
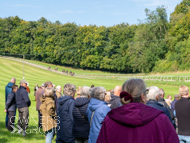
(11, 107)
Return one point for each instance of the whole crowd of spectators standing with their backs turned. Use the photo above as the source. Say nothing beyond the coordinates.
(131, 113)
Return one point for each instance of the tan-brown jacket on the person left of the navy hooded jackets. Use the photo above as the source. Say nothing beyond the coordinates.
(47, 108)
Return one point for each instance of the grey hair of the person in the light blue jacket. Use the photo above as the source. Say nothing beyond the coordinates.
(98, 93)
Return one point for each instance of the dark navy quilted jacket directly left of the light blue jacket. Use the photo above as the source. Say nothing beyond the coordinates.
(81, 126)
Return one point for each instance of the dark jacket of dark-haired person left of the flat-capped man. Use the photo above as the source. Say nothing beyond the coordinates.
(11, 102)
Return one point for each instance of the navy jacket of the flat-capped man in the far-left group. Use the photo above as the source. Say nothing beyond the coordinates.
(22, 98)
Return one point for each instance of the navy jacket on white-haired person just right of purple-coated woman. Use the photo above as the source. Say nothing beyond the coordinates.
(155, 104)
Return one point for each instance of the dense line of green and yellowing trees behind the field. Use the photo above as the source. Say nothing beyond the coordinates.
(155, 44)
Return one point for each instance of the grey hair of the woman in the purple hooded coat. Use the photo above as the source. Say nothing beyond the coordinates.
(135, 87)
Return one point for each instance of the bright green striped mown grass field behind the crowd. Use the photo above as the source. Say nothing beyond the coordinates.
(33, 75)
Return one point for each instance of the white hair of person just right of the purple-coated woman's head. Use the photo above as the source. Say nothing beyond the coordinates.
(153, 92)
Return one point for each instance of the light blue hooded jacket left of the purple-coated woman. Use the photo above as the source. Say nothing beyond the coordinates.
(100, 109)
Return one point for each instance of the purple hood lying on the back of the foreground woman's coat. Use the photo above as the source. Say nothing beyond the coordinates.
(134, 114)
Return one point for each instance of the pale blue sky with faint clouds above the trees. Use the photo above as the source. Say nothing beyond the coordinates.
(84, 12)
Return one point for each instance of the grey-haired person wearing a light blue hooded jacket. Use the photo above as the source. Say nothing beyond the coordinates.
(96, 112)
